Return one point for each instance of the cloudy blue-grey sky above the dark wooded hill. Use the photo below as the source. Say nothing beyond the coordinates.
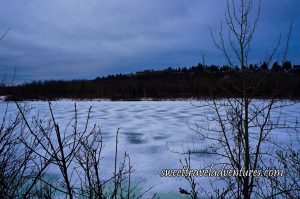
(67, 39)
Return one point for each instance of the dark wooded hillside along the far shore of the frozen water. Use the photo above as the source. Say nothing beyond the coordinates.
(198, 81)
